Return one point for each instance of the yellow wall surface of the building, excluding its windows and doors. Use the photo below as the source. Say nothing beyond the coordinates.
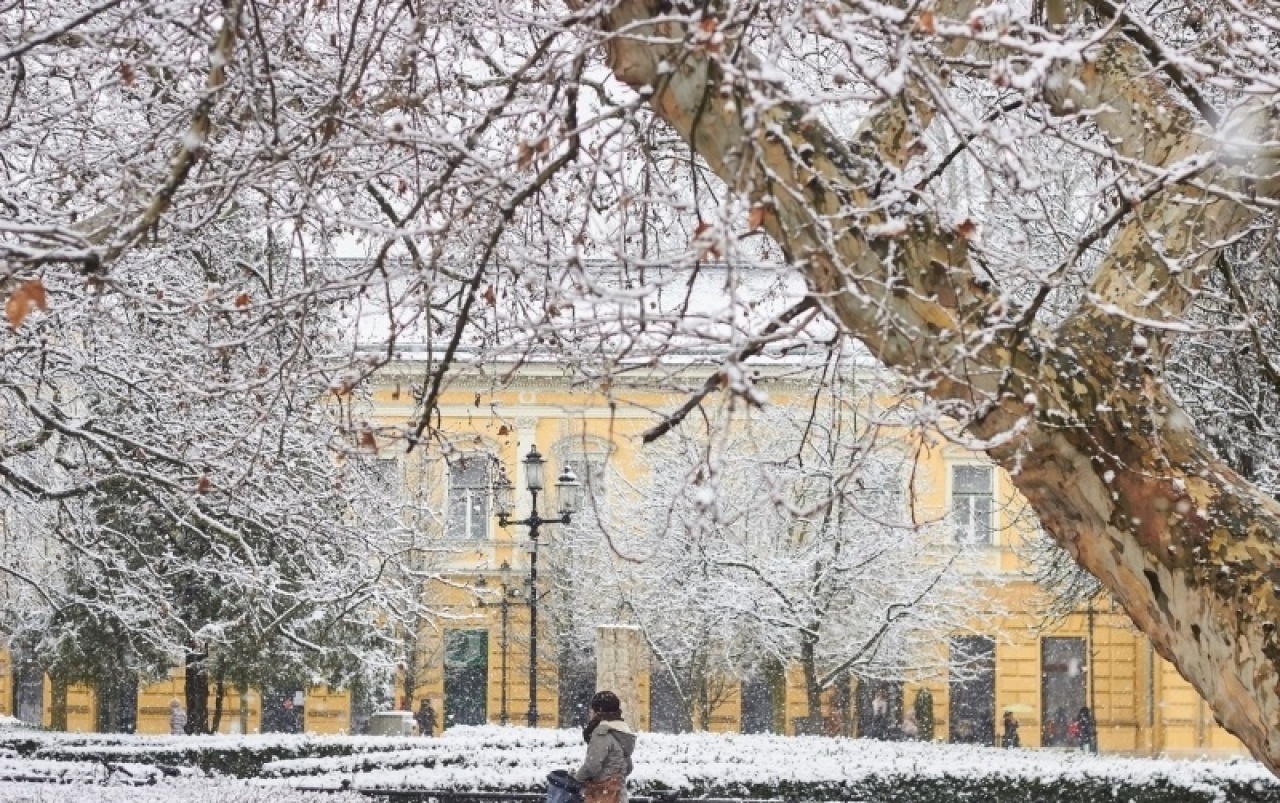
(1141, 704)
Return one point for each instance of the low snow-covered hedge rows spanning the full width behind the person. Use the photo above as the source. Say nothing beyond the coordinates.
(721, 765)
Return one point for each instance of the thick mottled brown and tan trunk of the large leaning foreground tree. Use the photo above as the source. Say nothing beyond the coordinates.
(1077, 414)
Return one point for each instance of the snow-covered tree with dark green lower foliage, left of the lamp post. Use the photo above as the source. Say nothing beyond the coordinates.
(203, 501)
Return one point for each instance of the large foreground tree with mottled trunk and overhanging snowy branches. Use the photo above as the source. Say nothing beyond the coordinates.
(1020, 208)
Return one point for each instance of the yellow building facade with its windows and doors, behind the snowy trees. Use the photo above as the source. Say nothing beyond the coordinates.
(472, 661)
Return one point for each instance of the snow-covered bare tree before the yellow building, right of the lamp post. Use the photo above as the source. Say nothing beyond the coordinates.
(787, 537)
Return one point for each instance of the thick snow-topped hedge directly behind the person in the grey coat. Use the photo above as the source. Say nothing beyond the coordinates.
(801, 768)
